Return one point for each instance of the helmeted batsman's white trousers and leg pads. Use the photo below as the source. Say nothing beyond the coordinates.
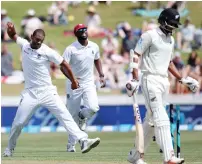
(155, 89)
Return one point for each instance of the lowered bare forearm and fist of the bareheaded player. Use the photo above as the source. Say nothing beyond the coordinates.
(66, 70)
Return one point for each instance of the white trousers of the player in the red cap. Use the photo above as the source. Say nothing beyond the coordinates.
(87, 93)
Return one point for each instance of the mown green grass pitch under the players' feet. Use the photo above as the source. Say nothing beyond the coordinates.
(50, 148)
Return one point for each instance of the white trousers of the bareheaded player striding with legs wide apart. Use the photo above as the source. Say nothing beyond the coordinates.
(47, 97)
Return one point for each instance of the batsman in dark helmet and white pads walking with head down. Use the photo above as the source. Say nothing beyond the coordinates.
(155, 47)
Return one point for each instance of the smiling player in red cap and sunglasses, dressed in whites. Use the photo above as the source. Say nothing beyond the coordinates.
(82, 55)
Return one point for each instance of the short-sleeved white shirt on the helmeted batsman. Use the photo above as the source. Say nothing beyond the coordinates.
(156, 50)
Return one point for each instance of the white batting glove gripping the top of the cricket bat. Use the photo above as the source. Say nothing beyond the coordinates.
(132, 87)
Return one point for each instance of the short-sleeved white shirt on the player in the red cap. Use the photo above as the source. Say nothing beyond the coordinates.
(81, 59)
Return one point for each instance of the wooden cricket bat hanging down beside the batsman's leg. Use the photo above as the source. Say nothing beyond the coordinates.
(139, 140)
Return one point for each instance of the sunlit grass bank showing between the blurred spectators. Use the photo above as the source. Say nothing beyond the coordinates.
(118, 11)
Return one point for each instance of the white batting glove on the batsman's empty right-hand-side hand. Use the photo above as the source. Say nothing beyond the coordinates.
(191, 83)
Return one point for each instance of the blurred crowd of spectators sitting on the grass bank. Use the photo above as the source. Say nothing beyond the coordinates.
(115, 43)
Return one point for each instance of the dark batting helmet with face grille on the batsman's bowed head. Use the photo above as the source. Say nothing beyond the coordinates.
(169, 19)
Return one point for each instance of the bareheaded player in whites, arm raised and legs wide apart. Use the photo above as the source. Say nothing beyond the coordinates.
(39, 91)
